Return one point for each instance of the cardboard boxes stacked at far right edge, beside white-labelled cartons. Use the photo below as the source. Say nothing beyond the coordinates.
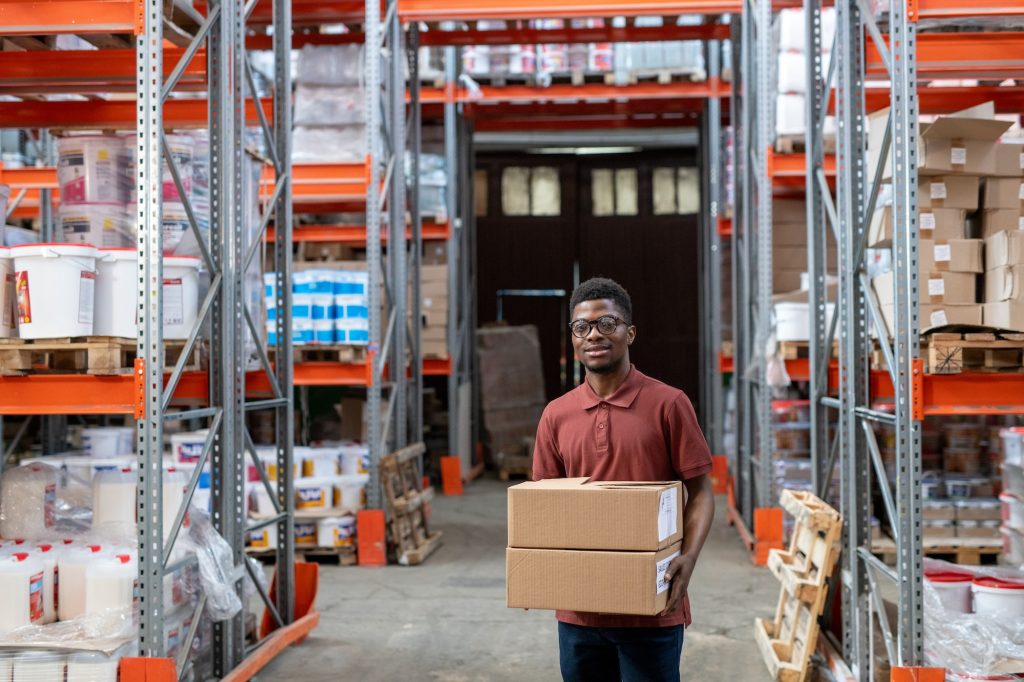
(1003, 221)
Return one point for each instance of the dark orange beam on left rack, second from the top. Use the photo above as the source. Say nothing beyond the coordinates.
(87, 71)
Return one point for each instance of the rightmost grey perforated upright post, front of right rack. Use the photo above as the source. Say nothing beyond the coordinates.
(907, 333)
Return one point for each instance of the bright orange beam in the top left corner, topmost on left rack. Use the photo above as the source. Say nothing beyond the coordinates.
(19, 18)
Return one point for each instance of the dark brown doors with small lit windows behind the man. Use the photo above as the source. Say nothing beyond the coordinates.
(549, 220)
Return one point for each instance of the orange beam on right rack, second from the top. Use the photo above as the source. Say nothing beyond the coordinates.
(960, 56)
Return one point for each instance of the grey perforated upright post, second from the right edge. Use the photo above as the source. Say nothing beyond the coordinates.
(856, 503)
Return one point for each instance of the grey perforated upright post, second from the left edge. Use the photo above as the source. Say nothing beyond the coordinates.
(227, 66)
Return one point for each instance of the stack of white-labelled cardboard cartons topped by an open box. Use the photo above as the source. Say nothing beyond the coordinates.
(955, 153)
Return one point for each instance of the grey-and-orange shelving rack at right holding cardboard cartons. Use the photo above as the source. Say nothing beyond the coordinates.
(865, 51)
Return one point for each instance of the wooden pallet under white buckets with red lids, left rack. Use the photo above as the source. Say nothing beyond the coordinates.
(93, 355)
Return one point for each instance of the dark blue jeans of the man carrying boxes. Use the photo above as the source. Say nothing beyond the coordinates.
(620, 655)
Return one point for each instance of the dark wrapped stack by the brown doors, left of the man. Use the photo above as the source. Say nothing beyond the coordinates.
(511, 388)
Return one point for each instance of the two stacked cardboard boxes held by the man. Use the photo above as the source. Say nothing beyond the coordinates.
(594, 547)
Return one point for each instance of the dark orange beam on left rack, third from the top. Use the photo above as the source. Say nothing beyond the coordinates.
(115, 115)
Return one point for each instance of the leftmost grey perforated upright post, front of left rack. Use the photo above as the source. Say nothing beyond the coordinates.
(150, 348)
